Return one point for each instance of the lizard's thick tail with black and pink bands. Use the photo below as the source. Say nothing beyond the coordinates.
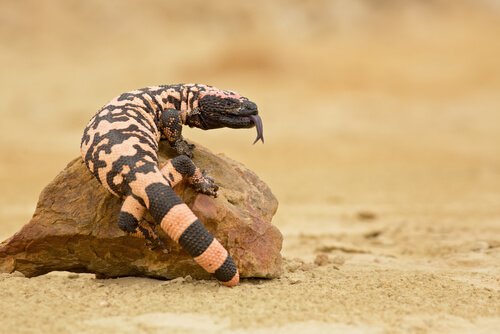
(180, 224)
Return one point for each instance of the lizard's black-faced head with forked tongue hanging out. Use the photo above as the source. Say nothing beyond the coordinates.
(225, 109)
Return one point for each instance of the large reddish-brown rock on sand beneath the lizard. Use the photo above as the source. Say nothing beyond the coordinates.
(74, 227)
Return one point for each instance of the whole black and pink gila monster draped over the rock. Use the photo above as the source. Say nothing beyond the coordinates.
(120, 146)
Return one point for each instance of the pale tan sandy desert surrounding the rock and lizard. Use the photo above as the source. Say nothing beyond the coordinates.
(382, 127)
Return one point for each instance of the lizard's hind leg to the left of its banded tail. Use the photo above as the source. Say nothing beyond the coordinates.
(130, 221)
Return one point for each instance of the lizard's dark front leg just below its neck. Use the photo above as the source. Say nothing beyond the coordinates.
(171, 128)
